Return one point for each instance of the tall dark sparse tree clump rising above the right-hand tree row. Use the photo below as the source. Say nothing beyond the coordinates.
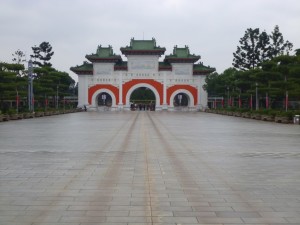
(256, 47)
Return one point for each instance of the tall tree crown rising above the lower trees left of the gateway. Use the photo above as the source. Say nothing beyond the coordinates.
(43, 53)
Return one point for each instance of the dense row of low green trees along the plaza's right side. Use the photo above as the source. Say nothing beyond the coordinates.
(274, 78)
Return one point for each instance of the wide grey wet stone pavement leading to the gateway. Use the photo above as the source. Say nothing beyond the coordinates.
(134, 168)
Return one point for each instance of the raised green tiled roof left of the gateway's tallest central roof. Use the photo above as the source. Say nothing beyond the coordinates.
(104, 54)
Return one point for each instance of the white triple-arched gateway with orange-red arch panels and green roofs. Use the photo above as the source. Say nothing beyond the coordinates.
(176, 81)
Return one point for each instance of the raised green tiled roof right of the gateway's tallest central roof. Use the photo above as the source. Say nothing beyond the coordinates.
(182, 55)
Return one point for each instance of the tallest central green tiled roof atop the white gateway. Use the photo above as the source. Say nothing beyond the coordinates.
(143, 47)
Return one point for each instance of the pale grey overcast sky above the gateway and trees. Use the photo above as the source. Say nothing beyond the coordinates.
(74, 28)
